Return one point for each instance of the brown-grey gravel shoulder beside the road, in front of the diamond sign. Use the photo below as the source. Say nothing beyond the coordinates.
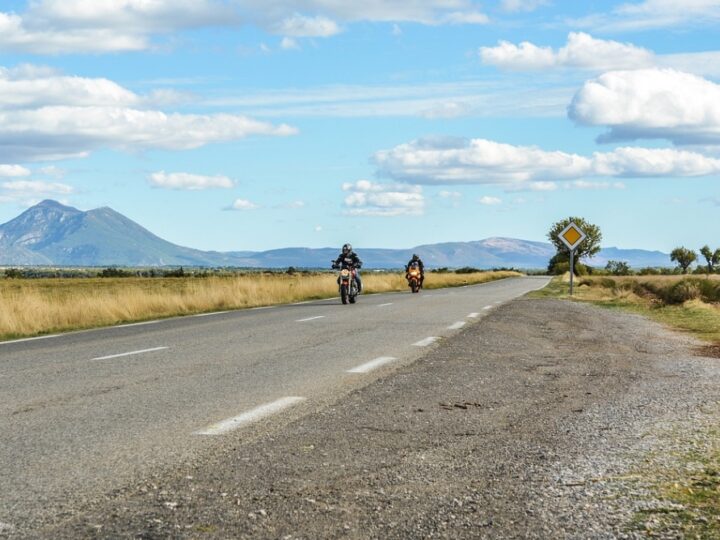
(531, 423)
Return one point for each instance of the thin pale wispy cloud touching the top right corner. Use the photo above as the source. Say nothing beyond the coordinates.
(654, 14)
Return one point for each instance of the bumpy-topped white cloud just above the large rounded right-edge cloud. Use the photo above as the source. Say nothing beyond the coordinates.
(581, 52)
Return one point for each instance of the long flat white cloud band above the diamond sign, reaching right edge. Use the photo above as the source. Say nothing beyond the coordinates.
(480, 161)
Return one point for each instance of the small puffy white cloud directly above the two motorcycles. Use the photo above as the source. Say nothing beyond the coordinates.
(373, 199)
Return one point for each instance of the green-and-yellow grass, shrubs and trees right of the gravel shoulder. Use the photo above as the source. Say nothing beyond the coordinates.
(687, 482)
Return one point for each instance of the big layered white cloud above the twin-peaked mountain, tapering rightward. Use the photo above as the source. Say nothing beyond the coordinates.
(46, 116)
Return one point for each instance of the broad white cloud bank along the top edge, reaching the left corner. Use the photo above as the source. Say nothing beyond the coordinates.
(71, 26)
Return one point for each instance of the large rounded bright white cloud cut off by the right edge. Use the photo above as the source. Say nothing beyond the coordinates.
(650, 104)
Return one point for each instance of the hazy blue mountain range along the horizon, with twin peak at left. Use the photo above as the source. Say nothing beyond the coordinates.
(53, 234)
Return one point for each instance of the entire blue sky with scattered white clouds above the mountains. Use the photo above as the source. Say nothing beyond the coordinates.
(257, 124)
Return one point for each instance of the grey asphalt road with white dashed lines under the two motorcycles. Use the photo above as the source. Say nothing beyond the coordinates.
(86, 412)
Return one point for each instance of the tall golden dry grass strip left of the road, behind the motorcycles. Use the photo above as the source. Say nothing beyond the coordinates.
(33, 307)
